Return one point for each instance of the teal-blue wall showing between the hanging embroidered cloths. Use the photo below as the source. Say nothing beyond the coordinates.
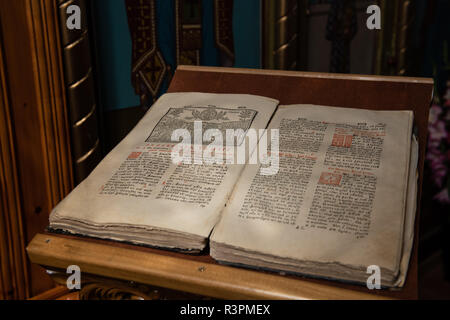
(114, 44)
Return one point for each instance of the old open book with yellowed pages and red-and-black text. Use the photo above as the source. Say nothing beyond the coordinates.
(332, 191)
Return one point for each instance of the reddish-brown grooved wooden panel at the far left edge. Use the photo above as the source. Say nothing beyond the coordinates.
(35, 149)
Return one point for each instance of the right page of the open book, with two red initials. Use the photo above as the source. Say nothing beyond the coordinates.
(321, 206)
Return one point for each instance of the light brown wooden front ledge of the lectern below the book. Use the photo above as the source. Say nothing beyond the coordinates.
(175, 273)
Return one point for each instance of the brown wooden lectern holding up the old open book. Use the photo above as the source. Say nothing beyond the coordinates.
(116, 270)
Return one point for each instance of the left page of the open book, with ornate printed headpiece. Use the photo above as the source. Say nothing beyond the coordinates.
(137, 184)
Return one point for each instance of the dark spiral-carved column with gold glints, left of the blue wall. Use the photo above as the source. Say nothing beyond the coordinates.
(80, 90)
